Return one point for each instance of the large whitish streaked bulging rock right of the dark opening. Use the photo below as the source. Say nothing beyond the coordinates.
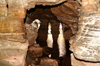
(85, 44)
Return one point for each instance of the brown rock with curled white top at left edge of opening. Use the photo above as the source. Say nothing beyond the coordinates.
(32, 31)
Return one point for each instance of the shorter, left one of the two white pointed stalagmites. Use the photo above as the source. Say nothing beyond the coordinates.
(49, 38)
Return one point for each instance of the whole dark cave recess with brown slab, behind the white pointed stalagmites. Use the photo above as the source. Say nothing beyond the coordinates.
(67, 14)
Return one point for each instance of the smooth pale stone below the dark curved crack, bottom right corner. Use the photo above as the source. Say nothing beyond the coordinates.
(75, 62)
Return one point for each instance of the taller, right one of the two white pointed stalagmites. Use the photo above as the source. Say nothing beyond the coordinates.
(61, 42)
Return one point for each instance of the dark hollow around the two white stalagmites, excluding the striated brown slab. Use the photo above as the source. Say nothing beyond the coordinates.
(45, 15)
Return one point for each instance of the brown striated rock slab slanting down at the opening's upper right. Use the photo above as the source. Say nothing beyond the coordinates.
(68, 13)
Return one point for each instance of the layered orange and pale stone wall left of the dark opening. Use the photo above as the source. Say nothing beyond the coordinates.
(13, 45)
